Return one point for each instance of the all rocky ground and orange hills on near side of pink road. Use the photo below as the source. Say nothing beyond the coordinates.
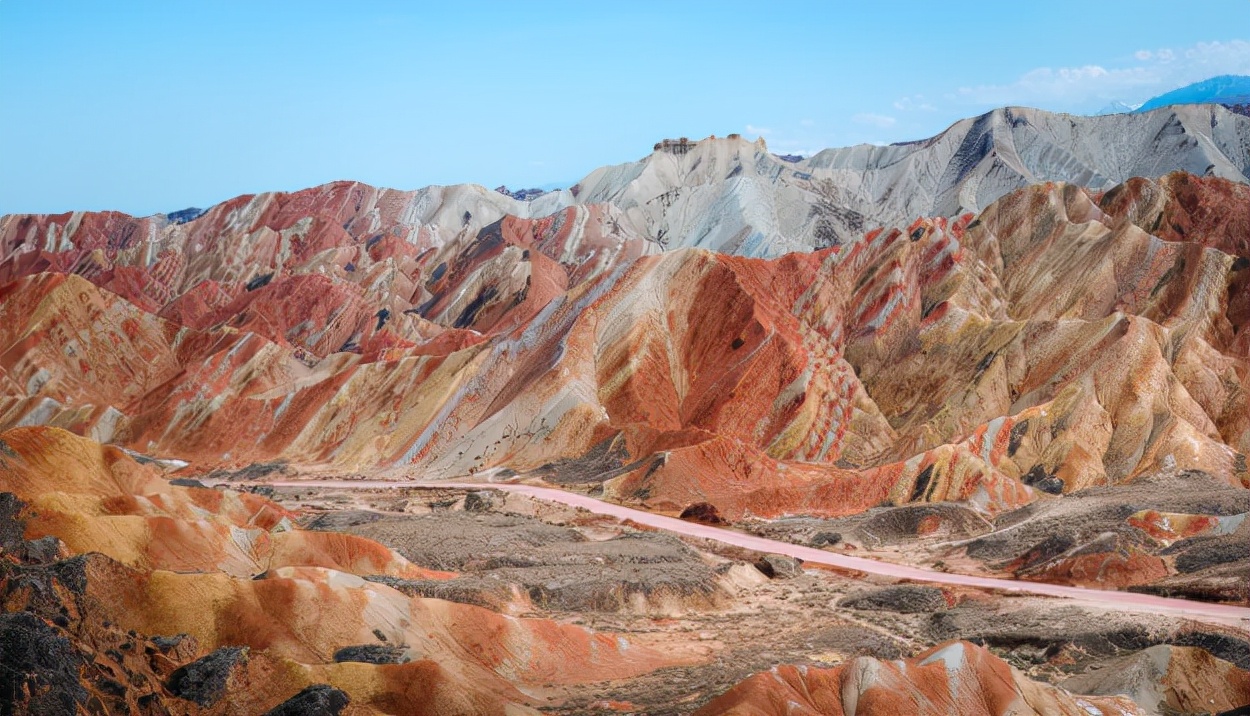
(122, 593)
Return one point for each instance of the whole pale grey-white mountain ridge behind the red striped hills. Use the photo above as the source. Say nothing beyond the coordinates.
(732, 196)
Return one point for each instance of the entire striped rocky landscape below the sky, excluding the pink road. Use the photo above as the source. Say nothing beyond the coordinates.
(973, 354)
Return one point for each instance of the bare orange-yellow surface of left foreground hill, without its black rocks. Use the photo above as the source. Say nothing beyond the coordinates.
(232, 570)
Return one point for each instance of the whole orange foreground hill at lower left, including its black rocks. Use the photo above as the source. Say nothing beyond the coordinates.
(124, 593)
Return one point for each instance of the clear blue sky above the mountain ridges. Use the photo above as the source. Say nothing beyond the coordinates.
(156, 107)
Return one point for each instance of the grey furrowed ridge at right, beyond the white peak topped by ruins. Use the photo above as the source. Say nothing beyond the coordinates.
(978, 161)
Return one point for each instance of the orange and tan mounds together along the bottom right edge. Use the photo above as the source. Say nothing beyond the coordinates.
(966, 679)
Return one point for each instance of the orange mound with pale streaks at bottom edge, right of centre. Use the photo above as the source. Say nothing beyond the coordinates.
(957, 678)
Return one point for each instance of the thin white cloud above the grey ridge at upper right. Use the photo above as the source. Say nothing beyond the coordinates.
(1147, 74)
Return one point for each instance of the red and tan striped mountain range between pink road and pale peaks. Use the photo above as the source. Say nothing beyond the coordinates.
(1058, 342)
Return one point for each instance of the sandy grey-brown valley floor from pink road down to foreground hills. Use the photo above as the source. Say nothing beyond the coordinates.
(679, 585)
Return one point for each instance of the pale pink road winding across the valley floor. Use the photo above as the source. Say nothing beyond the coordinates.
(1104, 599)
